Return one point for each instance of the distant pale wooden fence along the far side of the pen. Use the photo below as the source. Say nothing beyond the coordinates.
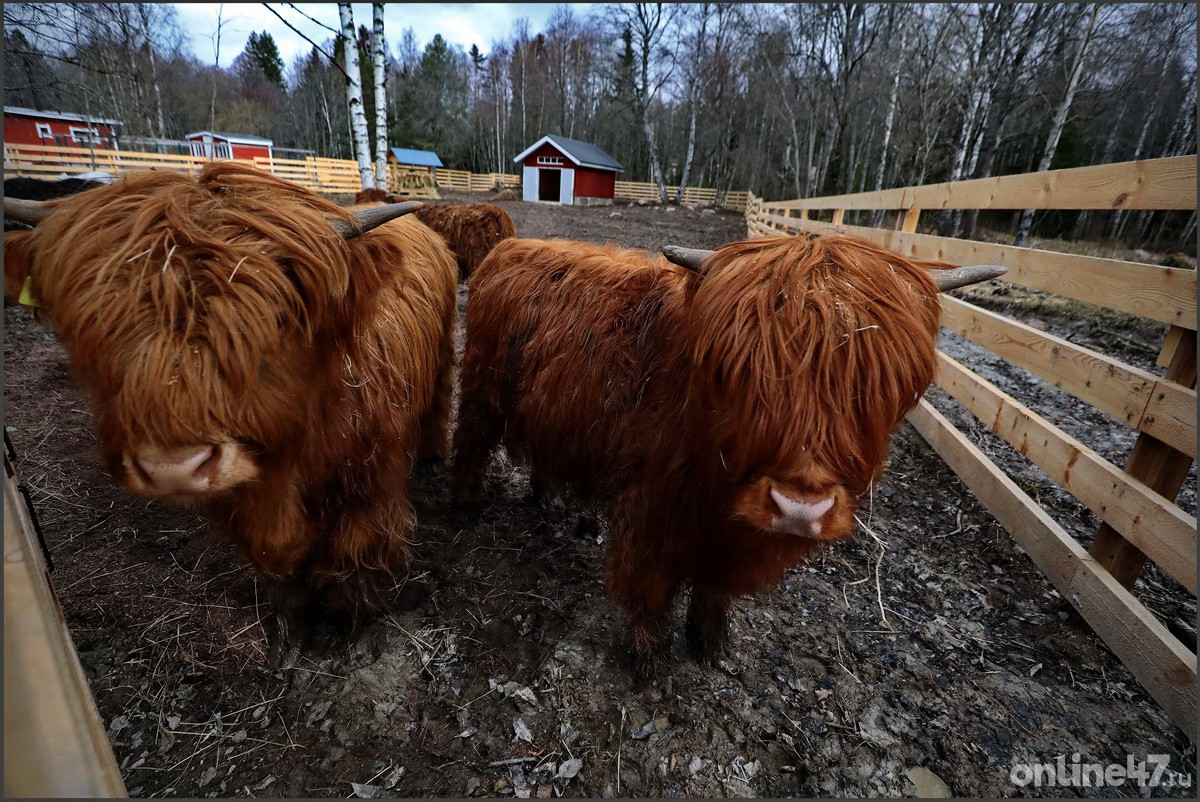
(333, 176)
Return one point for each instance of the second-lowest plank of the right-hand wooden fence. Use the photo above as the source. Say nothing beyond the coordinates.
(1160, 529)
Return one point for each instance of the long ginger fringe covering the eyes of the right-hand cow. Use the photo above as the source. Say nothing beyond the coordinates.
(824, 338)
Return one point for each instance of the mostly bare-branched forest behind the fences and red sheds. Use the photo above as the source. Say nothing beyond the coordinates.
(788, 100)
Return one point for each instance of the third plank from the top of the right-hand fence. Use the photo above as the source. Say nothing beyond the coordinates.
(1142, 400)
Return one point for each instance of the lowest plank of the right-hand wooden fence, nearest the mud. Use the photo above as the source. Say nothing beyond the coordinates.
(1161, 663)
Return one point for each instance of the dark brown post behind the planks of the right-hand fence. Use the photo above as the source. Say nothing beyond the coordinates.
(1160, 466)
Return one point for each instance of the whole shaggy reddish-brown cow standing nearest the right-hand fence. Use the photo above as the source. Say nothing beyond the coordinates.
(729, 420)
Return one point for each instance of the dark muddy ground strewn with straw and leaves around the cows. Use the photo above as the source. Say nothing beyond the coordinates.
(928, 655)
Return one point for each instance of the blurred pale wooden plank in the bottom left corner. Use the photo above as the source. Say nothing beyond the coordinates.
(55, 741)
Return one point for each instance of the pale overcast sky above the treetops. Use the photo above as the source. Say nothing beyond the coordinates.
(460, 23)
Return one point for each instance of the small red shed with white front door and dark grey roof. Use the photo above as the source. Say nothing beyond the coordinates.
(567, 171)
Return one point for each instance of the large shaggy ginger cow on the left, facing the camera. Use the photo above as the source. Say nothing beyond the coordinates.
(260, 355)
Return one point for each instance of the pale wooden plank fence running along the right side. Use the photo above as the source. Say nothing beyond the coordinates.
(1136, 505)
